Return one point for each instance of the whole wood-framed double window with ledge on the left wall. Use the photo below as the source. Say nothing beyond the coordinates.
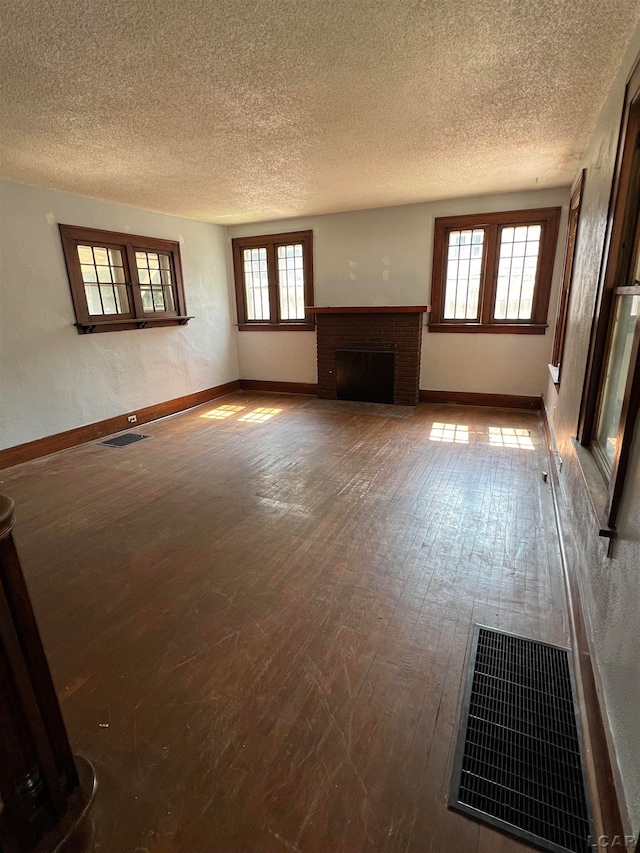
(122, 281)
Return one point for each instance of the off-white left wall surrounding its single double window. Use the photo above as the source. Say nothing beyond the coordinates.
(53, 379)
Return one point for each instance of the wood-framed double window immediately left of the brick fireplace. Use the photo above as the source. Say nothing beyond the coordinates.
(274, 281)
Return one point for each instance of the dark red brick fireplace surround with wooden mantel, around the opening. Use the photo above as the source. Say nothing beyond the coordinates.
(388, 329)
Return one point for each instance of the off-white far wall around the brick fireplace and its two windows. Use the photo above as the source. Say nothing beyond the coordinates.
(383, 257)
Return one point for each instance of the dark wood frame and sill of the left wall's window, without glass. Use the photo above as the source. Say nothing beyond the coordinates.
(136, 317)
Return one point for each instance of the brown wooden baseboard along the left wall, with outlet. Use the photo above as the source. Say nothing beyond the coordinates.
(72, 437)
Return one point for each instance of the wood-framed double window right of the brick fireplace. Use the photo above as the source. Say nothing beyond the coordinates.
(492, 272)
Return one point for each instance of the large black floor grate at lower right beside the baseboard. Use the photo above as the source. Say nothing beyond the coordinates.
(518, 760)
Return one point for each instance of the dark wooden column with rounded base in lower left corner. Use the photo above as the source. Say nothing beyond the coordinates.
(44, 801)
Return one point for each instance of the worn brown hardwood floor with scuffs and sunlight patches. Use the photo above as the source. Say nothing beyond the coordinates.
(257, 620)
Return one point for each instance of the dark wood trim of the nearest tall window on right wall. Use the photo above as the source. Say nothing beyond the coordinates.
(620, 250)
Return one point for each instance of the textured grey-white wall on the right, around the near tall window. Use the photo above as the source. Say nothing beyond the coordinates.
(610, 587)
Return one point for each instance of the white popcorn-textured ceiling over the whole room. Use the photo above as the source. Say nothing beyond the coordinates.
(234, 111)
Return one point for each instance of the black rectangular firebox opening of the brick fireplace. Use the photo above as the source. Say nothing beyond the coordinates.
(365, 375)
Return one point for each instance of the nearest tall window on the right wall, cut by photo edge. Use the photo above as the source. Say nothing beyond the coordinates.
(612, 388)
